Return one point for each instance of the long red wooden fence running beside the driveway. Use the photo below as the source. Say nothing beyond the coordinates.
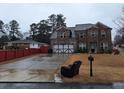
(8, 55)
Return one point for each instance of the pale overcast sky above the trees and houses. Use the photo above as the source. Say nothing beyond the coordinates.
(26, 14)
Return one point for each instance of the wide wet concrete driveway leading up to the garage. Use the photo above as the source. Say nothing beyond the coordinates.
(38, 68)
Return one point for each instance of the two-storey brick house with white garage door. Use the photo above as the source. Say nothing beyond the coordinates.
(95, 37)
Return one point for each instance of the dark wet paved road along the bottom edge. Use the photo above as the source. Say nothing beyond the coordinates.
(60, 86)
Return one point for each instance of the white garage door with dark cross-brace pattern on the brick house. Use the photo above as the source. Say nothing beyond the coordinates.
(63, 49)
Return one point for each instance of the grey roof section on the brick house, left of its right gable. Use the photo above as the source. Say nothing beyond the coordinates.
(84, 26)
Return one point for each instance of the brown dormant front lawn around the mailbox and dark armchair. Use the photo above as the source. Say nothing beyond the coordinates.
(107, 68)
